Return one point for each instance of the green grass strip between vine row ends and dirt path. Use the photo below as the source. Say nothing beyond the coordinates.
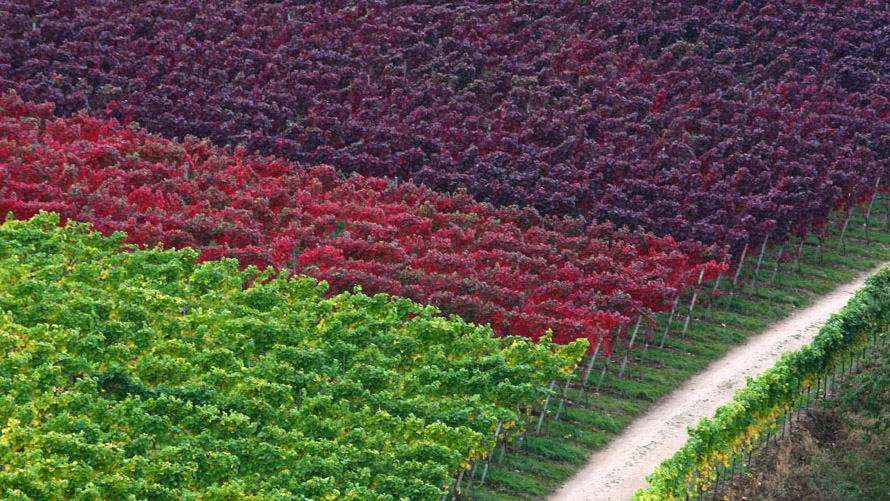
(590, 419)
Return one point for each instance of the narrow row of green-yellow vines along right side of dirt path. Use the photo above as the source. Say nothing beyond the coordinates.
(755, 408)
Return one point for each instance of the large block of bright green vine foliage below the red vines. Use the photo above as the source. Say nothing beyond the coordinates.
(145, 374)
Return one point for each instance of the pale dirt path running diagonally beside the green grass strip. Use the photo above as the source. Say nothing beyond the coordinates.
(616, 472)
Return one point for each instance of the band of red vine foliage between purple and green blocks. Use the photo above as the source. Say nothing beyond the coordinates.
(509, 267)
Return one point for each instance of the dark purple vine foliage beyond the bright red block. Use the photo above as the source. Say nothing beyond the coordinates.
(645, 117)
